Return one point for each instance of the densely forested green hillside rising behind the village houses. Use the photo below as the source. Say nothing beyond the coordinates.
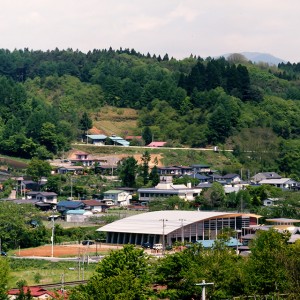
(194, 102)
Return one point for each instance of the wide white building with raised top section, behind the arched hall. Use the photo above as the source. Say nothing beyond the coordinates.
(166, 188)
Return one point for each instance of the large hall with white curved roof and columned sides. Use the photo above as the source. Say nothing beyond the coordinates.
(174, 225)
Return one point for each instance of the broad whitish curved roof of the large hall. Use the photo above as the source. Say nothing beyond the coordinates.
(152, 222)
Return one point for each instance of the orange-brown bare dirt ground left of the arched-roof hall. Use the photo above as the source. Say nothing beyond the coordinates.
(65, 250)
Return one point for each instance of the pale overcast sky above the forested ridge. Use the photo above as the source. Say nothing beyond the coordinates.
(177, 27)
